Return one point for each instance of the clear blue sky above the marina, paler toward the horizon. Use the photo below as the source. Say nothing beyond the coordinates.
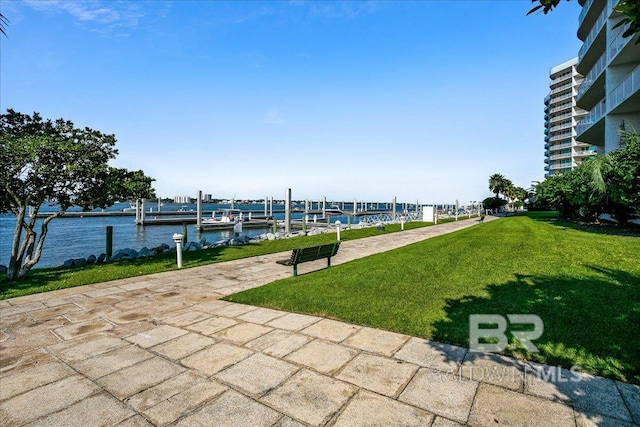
(369, 100)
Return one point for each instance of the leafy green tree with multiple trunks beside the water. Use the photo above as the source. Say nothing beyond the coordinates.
(53, 161)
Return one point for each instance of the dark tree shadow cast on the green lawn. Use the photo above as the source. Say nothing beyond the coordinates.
(591, 322)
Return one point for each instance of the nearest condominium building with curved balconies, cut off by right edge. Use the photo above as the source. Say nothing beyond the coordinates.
(610, 91)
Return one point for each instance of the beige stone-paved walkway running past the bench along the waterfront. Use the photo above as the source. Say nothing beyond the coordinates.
(163, 349)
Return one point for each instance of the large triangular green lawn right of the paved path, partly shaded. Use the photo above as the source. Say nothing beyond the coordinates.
(584, 284)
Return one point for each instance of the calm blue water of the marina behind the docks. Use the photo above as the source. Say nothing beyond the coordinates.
(81, 237)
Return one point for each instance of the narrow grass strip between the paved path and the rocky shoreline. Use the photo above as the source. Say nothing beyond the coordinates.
(48, 279)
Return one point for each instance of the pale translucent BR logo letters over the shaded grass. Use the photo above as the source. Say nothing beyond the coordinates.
(524, 337)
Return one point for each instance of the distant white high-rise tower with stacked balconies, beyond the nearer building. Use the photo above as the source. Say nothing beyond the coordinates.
(561, 115)
